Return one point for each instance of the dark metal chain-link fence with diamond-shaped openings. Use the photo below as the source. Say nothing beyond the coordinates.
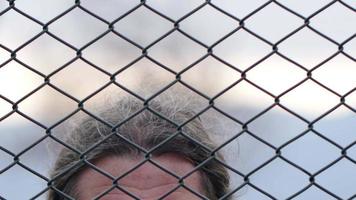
(240, 25)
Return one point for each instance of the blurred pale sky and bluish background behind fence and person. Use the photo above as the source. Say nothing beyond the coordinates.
(211, 75)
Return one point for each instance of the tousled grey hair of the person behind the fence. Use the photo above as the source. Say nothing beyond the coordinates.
(147, 130)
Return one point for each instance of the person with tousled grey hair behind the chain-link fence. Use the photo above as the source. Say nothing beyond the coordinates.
(131, 154)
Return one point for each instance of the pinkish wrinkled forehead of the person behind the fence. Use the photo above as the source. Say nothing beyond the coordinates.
(147, 177)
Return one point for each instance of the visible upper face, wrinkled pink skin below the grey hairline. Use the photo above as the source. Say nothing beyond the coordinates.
(146, 182)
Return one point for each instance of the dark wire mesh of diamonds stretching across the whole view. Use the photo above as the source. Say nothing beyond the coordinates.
(241, 24)
